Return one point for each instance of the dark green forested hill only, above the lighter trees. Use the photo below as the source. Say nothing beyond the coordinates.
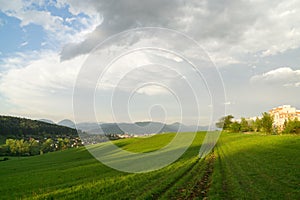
(22, 127)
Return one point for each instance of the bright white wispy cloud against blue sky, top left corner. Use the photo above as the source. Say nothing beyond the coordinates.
(55, 26)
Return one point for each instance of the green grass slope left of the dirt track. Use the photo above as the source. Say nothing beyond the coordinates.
(75, 174)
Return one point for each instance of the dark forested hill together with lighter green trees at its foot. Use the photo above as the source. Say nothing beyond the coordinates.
(26, 137)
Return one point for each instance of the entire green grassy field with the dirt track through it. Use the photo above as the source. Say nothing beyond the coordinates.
(241, 167)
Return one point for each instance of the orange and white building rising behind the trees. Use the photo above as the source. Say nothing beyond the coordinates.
(282, 114)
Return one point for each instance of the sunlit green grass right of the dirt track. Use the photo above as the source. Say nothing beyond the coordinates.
(256, 167)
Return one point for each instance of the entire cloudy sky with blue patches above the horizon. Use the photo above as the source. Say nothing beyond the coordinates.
(170, 61)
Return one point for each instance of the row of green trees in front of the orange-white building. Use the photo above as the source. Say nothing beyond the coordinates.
(263, 124)
